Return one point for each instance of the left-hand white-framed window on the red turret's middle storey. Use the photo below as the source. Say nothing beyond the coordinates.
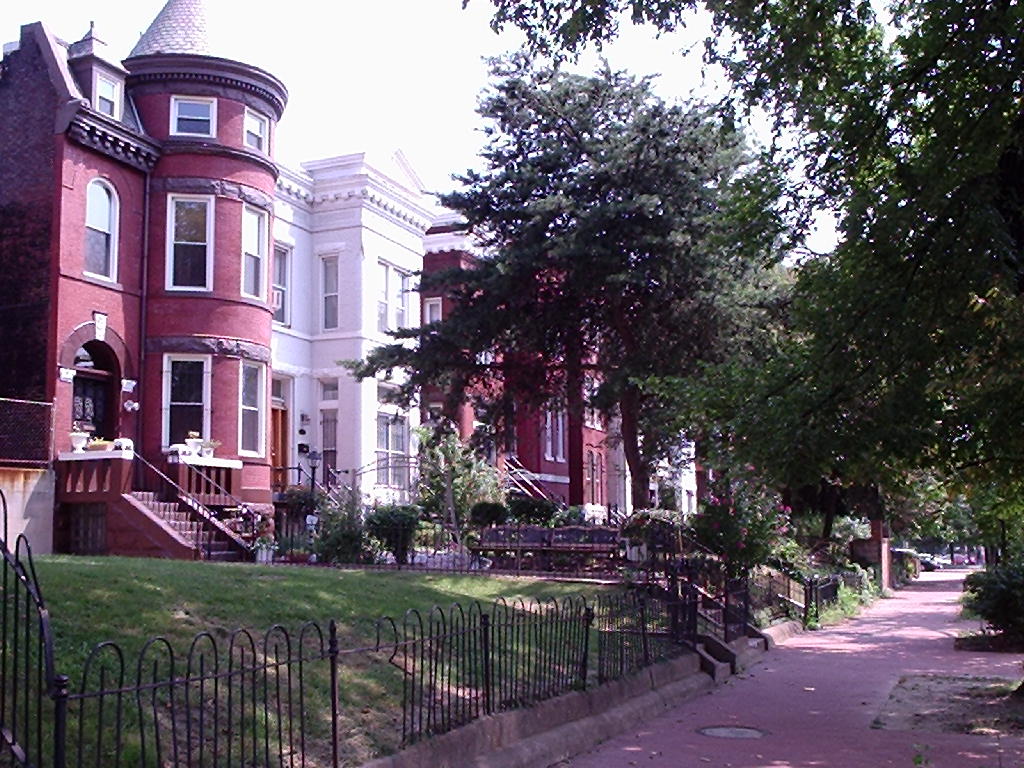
(190, 241)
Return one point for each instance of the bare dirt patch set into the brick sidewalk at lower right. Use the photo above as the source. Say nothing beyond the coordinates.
(954, 705)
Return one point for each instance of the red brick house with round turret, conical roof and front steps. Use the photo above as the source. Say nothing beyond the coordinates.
(137, 203)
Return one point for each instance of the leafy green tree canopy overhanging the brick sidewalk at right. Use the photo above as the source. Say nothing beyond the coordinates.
(910, 350)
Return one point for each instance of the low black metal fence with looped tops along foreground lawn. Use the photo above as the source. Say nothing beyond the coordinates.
(275, 700)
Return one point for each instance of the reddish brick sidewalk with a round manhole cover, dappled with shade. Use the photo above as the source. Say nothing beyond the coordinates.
(817, 696)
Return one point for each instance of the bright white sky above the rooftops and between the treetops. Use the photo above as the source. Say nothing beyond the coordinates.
(370, 75)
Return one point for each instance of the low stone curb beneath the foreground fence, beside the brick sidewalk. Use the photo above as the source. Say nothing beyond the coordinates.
(559, 729)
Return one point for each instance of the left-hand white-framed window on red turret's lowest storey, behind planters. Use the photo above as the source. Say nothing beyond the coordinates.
(186, 397)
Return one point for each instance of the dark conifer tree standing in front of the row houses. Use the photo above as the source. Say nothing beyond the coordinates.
(611, 224)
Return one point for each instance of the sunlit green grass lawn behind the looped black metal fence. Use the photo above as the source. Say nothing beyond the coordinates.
(131, 601)
